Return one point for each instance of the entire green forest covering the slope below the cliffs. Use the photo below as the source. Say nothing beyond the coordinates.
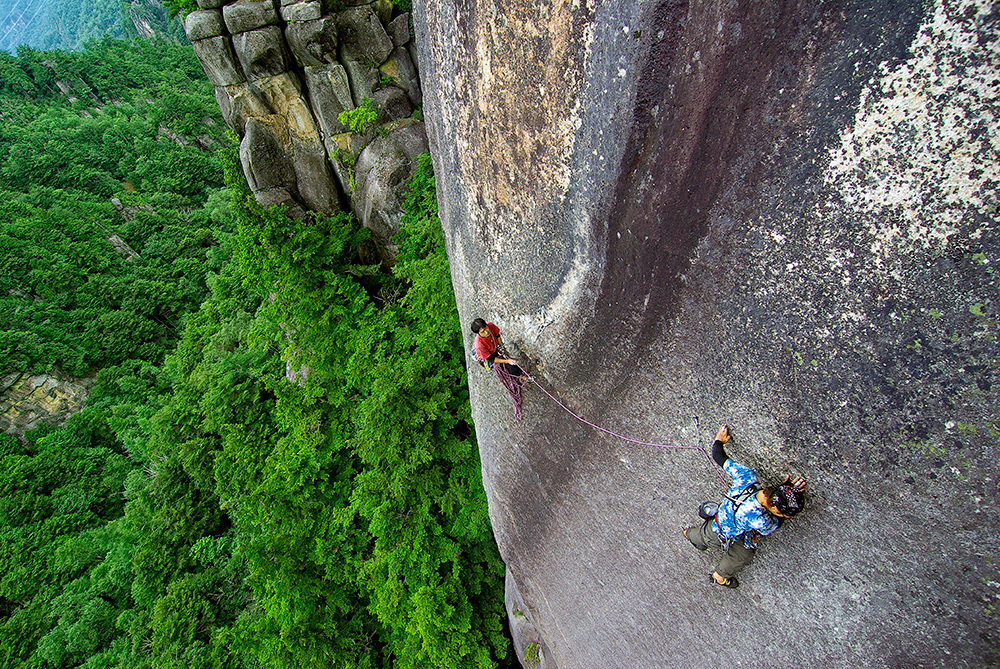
(203, 511)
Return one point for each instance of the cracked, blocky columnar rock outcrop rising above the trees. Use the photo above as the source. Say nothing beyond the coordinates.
(283, 74)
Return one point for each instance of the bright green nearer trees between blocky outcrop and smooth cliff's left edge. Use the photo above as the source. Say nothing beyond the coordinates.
(373, 450)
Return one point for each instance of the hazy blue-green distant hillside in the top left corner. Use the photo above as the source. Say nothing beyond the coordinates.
(68, 24)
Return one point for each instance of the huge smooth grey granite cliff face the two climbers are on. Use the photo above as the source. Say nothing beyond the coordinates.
(778, 216)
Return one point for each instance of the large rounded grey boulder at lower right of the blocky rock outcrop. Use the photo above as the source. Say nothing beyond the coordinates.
(383, 168)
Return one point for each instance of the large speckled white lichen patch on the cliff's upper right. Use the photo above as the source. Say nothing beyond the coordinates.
(924, 150)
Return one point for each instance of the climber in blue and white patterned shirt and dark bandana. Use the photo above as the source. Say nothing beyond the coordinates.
(748, 511)
